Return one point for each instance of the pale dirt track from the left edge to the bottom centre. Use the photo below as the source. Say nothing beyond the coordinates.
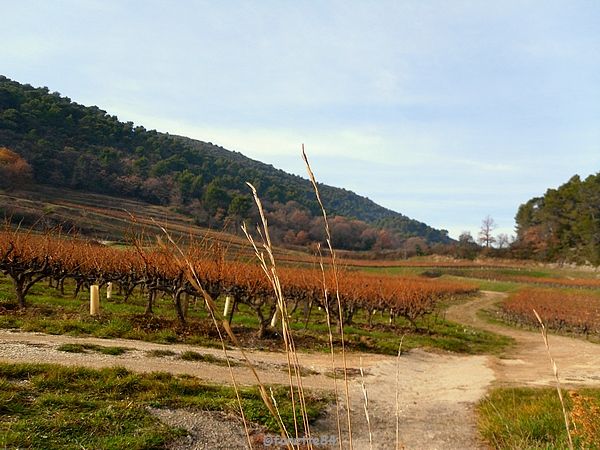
(434, 403)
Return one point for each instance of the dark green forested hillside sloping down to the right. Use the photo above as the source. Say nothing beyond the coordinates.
(74, 146)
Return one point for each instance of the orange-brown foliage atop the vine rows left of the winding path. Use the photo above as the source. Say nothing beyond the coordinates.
(157, 269)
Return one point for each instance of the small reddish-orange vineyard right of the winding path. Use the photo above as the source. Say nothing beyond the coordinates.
(561, 310)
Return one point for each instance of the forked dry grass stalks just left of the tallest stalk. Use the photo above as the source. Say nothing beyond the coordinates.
(269, 267)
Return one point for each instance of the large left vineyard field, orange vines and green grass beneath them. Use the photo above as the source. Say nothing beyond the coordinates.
(156, 300)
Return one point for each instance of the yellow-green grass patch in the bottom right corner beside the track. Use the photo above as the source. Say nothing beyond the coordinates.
(532, 418)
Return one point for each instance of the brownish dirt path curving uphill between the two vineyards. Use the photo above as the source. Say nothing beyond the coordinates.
(527, 362)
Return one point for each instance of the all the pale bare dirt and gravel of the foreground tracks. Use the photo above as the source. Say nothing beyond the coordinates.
(437, 392)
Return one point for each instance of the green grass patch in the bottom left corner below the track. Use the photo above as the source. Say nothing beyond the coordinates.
(54, 407)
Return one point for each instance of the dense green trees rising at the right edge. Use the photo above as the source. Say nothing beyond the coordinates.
(564, 224)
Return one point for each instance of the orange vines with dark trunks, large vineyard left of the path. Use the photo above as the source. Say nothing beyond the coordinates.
(29, 259)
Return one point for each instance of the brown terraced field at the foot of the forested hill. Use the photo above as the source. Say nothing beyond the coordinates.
(114, 219)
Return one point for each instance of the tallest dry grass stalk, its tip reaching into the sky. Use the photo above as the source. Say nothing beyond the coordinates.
(334, 269)
